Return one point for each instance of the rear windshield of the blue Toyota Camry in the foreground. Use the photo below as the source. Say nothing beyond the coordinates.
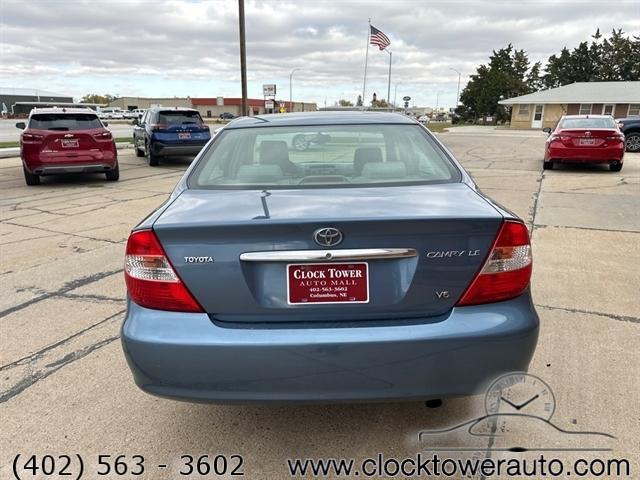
(313, 156)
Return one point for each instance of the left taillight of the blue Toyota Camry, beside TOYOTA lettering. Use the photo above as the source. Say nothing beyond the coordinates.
(151, 279)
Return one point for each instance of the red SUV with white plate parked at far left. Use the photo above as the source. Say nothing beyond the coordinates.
(66, 140)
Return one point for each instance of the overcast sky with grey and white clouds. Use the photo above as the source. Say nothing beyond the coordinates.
(190, 48)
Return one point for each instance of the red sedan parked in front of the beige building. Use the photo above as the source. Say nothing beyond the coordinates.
(585, 139)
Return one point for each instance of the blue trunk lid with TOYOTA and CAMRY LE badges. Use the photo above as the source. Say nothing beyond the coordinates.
(450, 227)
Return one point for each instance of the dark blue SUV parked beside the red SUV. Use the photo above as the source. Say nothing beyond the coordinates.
(163, 132)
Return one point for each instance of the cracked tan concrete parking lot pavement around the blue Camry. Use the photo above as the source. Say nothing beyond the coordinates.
(65, 386)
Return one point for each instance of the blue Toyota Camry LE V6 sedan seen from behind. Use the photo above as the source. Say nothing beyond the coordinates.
(367, 267)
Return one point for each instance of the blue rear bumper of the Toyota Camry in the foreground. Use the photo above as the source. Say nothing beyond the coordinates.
(187, 356)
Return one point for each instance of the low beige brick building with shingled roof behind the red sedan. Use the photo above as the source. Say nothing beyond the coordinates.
(543, 109)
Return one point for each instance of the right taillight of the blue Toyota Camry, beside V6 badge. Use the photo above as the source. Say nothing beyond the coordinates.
(507, 270)
